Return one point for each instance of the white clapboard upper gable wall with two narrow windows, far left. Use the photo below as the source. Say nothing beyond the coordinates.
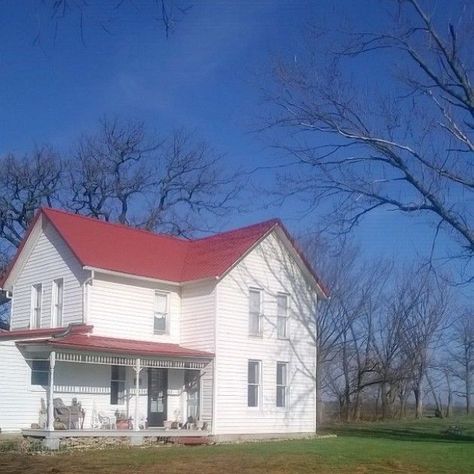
(49, 259)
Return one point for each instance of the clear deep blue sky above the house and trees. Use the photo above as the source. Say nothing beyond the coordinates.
(205, 76)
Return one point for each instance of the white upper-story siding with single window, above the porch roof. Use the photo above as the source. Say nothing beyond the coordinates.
(124, 307)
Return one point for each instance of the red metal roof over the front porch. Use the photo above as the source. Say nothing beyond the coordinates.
(85, 342)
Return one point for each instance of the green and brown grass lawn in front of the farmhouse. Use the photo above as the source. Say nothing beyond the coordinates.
(400, 447)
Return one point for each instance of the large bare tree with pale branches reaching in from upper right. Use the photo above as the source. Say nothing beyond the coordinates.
(403, 143)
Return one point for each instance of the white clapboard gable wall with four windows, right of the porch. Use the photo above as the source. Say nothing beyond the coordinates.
(269, 268)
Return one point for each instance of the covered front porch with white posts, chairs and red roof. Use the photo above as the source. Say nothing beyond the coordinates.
(91, 386)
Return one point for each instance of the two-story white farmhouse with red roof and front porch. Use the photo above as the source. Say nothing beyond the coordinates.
(159, 332)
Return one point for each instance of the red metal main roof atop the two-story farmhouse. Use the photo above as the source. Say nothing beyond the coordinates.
(124, 249)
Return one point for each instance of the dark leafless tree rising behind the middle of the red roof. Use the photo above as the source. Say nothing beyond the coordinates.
(172, 183)
